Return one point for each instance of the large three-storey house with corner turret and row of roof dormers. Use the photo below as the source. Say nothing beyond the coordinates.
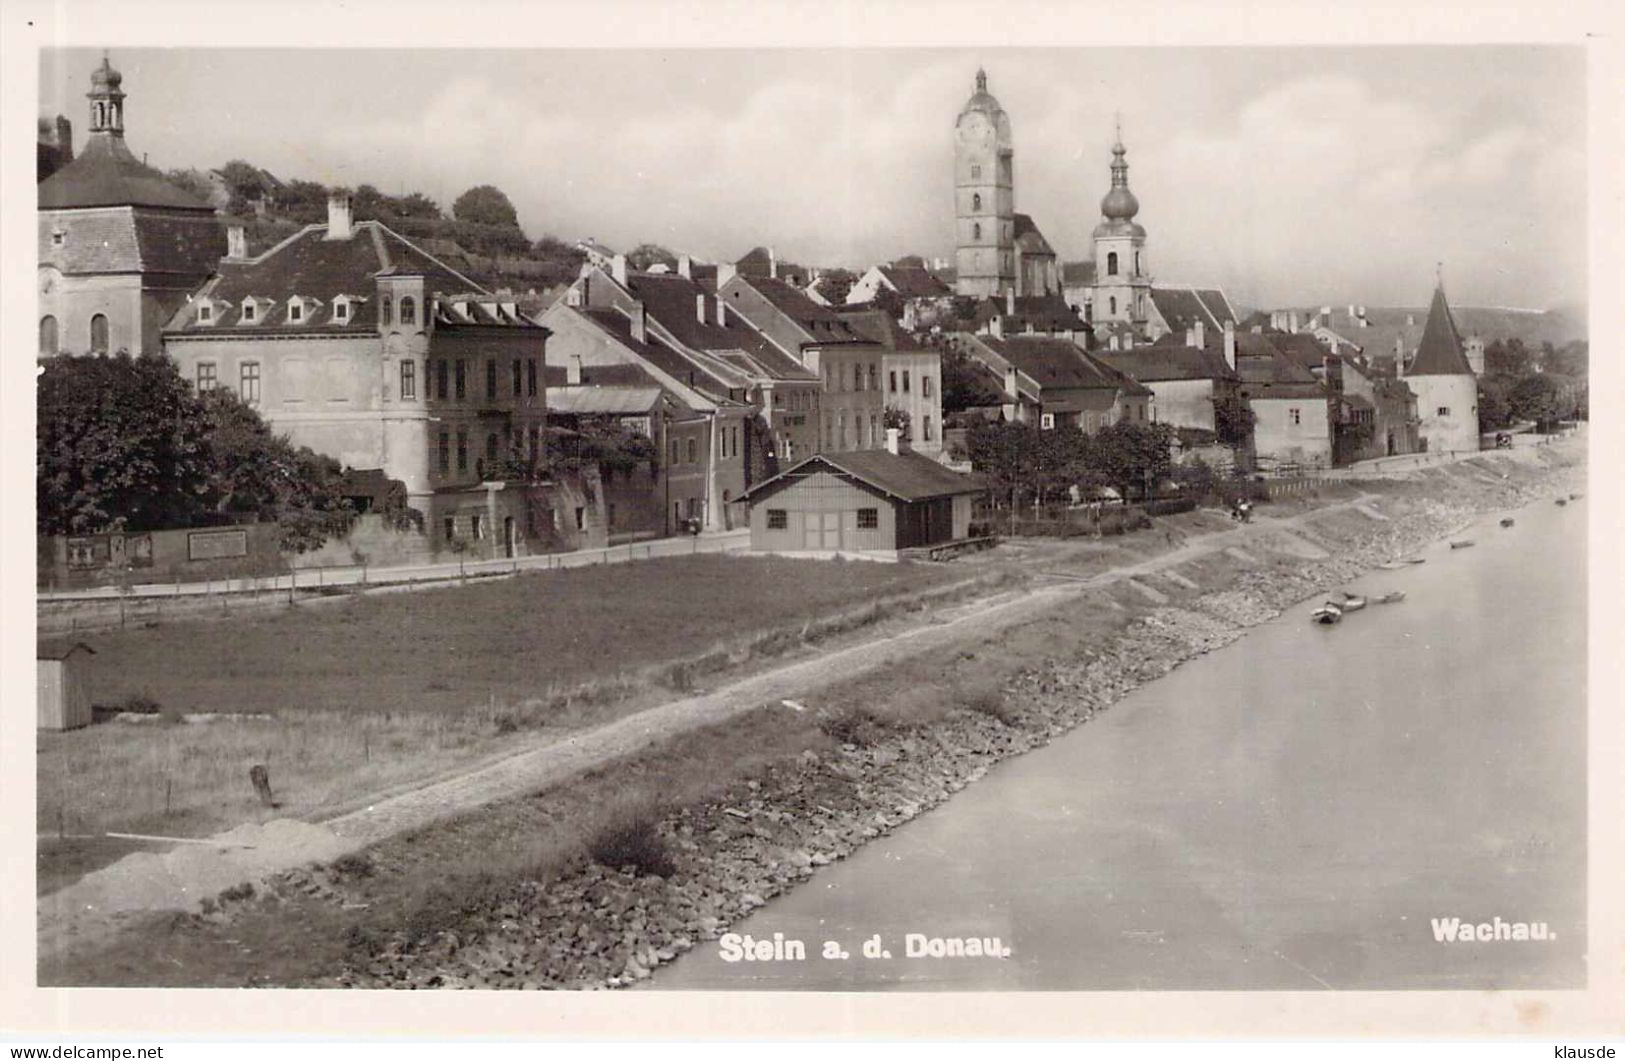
(352, 340)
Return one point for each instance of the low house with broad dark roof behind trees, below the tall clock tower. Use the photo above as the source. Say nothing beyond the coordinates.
(1052, 381)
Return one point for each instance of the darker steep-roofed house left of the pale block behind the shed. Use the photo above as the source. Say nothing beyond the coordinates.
(847, 363)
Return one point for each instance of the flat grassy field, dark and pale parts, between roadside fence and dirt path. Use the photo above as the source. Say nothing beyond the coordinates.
(349, 699)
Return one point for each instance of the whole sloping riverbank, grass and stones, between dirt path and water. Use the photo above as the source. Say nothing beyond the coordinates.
(847, 768)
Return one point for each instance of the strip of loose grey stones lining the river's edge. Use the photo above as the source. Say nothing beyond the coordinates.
(604, 927)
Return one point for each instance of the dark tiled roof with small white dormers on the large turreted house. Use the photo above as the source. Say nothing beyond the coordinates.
(321, 269)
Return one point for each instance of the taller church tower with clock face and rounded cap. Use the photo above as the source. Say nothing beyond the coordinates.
(984, 197)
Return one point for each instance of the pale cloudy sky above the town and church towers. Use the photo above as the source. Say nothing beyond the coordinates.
(1283, 175)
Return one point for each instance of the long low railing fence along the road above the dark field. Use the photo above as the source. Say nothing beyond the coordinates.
(116, 607)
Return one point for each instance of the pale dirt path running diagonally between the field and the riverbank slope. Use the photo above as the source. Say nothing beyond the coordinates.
(181, 880)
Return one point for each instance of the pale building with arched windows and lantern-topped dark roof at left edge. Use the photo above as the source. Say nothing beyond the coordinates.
(121, 248)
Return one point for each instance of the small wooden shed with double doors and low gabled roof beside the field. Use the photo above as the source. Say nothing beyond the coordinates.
(864, 503)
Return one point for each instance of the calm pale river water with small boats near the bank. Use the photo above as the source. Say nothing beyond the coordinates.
(1289, 813)
